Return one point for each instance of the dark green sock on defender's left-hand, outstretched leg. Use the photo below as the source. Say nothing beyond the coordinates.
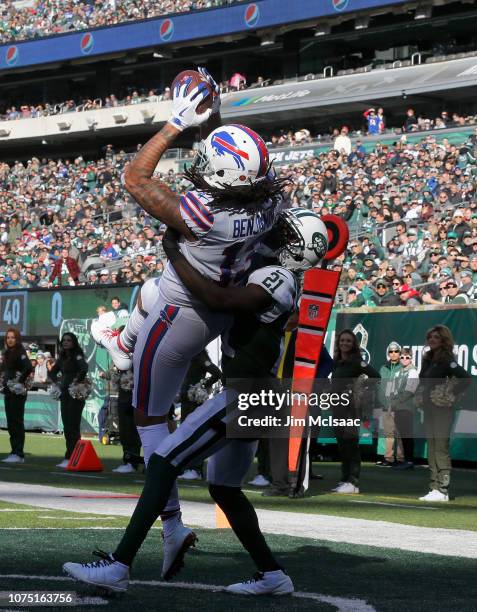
(160, 478)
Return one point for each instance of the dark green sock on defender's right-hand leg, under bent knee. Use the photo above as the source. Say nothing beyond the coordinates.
(243, 519)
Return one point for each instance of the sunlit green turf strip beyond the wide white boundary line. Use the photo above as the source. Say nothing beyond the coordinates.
(385, 494)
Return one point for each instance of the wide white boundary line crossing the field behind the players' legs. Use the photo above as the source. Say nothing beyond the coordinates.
(379, 534)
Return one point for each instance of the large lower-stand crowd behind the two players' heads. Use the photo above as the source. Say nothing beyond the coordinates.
(411, 208)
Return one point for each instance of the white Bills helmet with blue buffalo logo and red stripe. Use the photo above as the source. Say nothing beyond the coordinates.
(232, 155)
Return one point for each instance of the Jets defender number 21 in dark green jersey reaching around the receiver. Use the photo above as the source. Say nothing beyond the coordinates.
(262, 309)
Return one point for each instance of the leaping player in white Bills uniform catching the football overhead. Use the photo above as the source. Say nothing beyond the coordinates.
(234, 203)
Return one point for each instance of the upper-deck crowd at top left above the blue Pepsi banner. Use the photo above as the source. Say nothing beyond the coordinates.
(42, 18)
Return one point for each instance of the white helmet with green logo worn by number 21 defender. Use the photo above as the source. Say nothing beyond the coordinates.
(306, 239)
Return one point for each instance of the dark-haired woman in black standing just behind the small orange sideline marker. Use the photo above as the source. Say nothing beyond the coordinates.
(72, 366)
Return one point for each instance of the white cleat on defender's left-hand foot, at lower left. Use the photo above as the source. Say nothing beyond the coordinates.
(107, 573)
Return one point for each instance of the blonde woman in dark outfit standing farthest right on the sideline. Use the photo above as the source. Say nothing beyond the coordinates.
(442, 380)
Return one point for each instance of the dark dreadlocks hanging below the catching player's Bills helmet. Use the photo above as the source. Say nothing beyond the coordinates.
(249, 198)
